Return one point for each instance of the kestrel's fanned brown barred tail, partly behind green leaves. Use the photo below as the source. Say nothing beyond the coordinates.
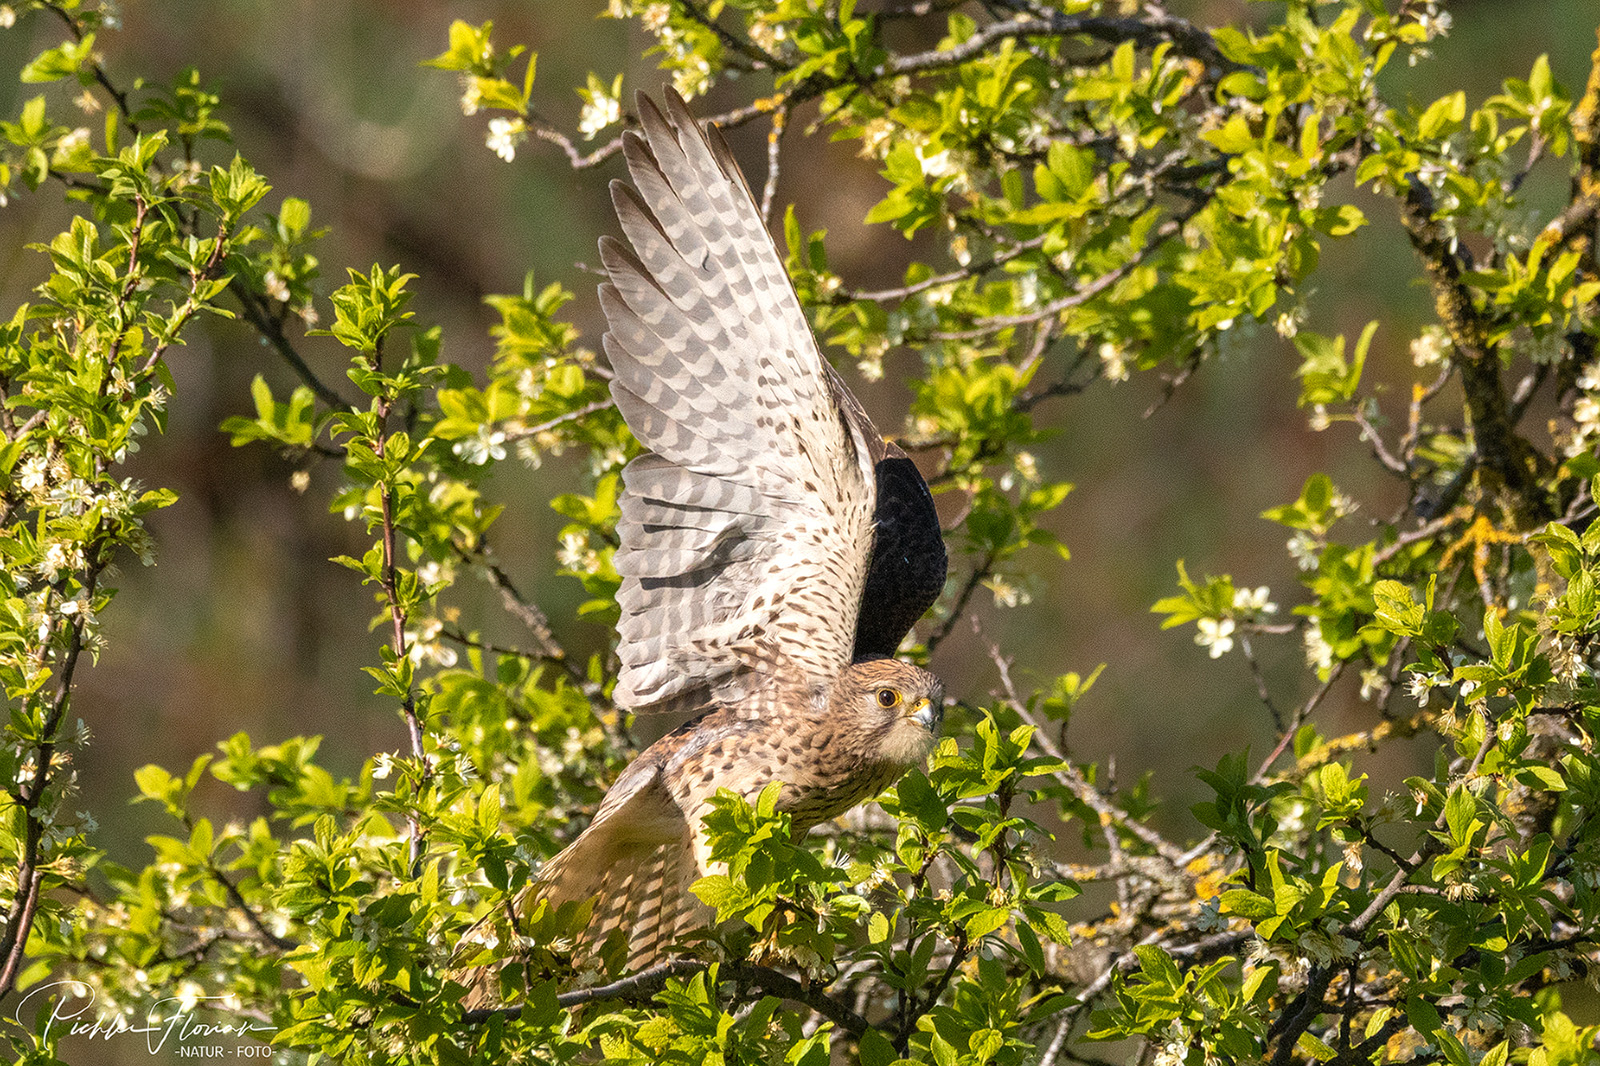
(642, 905)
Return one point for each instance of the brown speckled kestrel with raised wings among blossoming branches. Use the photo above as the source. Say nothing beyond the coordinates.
(775, 550)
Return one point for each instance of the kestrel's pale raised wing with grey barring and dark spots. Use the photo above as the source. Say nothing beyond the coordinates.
(746, 531)
